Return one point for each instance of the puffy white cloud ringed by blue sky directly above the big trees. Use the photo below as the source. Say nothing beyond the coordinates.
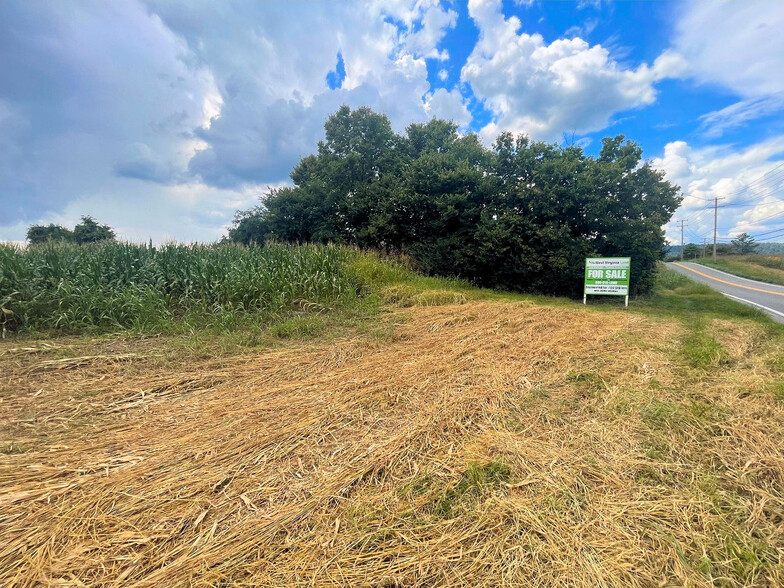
(546, 90)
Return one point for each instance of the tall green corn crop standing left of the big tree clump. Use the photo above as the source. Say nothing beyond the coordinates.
(129, 286)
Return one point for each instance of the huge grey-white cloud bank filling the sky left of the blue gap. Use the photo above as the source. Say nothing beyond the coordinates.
(162, 119)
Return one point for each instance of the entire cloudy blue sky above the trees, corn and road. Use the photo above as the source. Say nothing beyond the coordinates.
(162, 119)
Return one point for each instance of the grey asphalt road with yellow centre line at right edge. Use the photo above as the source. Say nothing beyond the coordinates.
(769, 298)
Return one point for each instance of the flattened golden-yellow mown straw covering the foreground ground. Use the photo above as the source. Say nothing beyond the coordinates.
(489, 444)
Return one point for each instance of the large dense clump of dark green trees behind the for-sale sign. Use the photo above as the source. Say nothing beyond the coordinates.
(522, 215)
